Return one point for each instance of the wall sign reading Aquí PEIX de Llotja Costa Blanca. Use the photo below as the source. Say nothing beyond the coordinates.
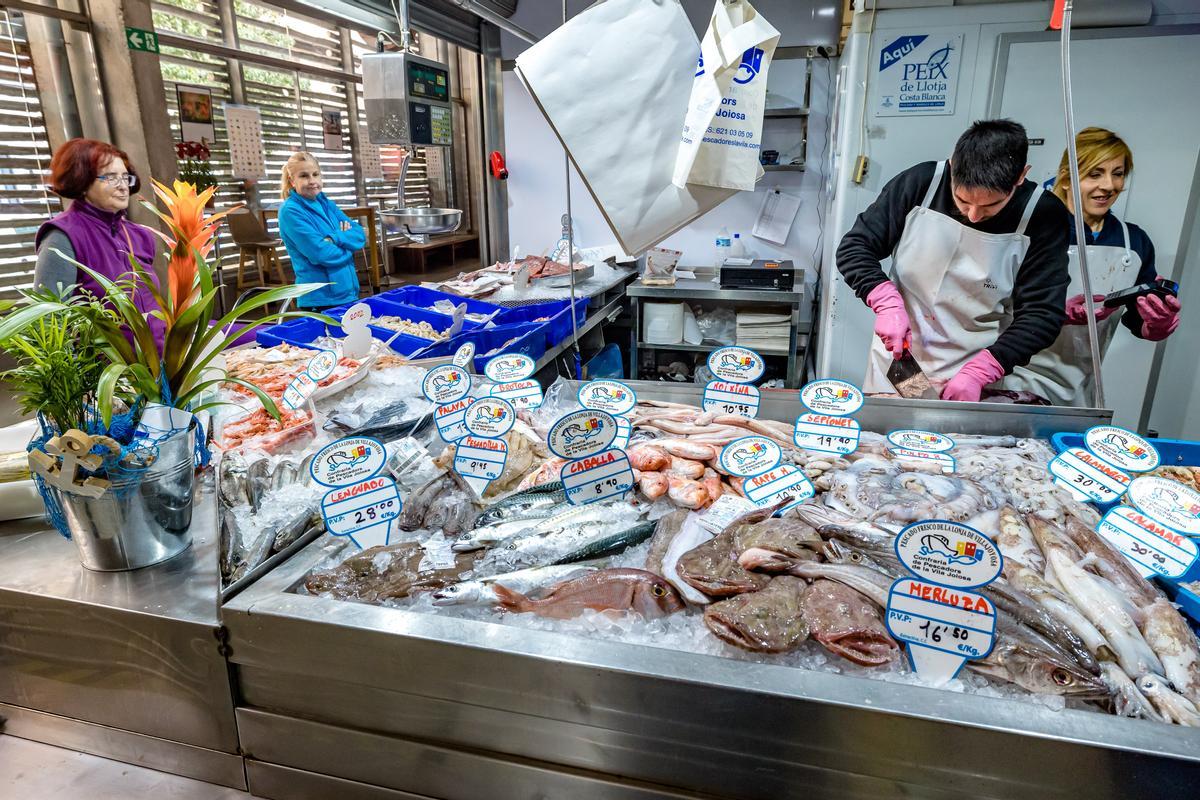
(919, 75)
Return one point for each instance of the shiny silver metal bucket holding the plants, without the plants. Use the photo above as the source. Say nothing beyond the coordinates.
(141, 521)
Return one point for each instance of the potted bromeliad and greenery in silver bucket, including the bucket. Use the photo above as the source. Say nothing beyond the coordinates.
(119, 440)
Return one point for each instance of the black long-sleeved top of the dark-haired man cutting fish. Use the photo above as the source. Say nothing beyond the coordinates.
(1040, 292)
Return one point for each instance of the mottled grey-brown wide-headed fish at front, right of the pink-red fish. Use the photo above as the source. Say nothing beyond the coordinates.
(770, 621)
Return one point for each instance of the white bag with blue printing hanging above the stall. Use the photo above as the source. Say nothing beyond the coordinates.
(723, 133)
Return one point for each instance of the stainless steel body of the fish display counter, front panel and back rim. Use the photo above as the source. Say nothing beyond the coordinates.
(358, 701)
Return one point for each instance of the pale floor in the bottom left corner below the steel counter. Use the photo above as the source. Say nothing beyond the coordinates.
(31, 771)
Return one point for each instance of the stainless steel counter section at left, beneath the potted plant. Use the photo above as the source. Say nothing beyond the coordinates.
(124, 665)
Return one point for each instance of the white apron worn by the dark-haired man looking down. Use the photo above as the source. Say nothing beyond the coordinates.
(957, 286)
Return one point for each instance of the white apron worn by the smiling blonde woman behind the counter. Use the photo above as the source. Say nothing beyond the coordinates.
(1063, 374)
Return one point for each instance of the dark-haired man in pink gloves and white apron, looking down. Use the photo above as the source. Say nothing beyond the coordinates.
(979, 266)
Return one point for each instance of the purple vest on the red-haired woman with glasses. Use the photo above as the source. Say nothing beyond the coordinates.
(100, 243)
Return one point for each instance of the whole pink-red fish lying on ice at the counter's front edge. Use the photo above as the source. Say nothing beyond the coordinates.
(637, 591)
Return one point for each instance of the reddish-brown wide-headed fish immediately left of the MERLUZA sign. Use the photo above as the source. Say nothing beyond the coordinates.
(848, 625)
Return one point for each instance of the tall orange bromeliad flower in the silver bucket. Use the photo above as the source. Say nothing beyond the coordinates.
(194, 237)
